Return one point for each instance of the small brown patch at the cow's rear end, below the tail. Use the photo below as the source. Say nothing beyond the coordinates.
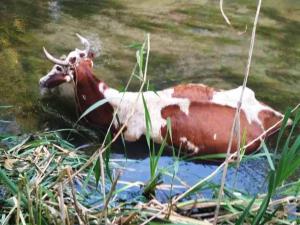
(269, 119)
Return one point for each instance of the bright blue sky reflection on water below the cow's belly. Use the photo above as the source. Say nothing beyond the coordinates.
(250, 179)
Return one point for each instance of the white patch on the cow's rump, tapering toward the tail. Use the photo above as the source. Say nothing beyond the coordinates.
(251, 106)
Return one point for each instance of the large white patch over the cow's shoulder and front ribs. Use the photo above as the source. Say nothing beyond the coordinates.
(136, 125)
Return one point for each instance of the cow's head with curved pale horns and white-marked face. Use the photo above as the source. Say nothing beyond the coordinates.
(63, 69)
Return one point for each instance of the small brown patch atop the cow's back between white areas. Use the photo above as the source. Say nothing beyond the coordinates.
(194, 92)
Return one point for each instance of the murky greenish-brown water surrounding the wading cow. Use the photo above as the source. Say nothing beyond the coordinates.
(190, 42)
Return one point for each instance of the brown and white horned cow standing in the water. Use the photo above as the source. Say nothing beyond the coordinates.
(201, 117)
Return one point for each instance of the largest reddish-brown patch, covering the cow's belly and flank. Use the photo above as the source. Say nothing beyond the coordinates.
(208, 127)
